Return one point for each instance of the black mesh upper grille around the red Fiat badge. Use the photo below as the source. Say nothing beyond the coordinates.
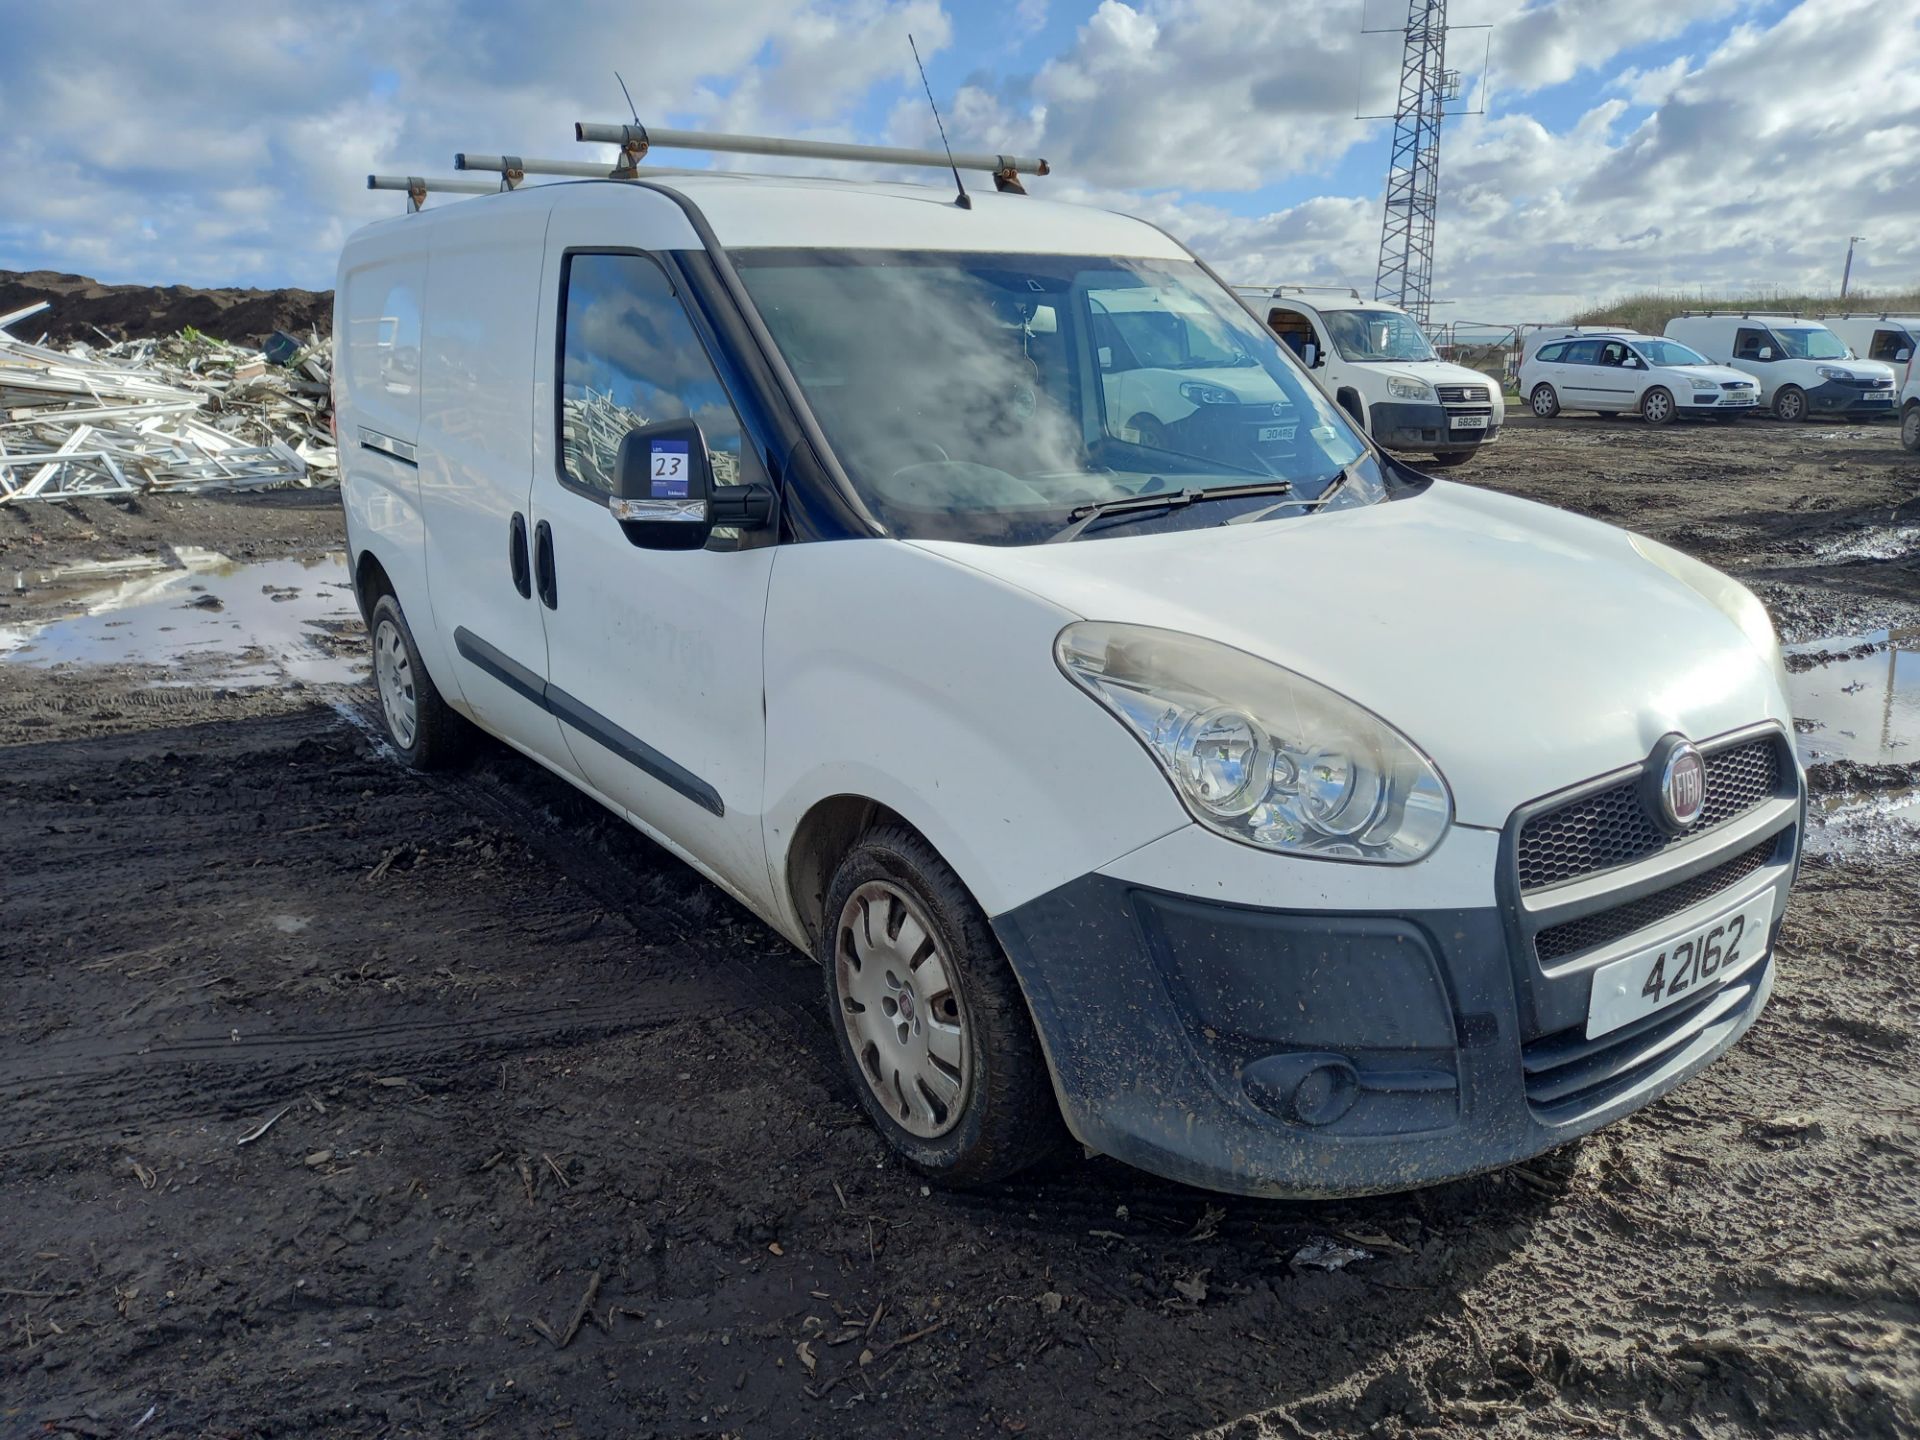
(1614, 827)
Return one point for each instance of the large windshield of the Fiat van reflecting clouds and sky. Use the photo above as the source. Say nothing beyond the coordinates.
(990, 398)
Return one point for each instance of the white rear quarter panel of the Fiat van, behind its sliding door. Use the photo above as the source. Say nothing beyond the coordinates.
(377, 383)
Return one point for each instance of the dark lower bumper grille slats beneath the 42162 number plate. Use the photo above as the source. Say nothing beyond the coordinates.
(1568, 1074)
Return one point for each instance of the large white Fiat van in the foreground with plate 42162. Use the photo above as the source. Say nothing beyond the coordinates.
(1247, 805)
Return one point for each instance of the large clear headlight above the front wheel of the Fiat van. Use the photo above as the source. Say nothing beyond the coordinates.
(1259, 754)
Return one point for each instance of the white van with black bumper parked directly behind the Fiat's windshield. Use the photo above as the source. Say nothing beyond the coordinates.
(1383, 372)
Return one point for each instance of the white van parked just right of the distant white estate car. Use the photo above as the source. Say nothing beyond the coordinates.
(1806, 372)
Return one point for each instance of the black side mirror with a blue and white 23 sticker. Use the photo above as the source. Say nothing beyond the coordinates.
(665, 494)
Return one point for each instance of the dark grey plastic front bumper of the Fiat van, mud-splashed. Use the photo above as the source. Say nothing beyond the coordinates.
(1318, 1055)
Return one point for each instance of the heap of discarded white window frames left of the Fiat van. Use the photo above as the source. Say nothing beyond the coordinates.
(180, 414)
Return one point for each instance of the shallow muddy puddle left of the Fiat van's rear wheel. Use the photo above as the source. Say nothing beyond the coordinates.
(210, 619)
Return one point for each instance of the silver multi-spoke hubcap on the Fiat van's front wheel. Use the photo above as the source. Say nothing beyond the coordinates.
(900, 999)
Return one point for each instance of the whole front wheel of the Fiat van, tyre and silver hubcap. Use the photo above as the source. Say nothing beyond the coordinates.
(984, 1109)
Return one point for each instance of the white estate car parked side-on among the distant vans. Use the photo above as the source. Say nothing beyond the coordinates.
(1618, 372)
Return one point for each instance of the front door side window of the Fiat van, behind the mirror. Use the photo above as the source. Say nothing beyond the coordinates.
(631, 356)
